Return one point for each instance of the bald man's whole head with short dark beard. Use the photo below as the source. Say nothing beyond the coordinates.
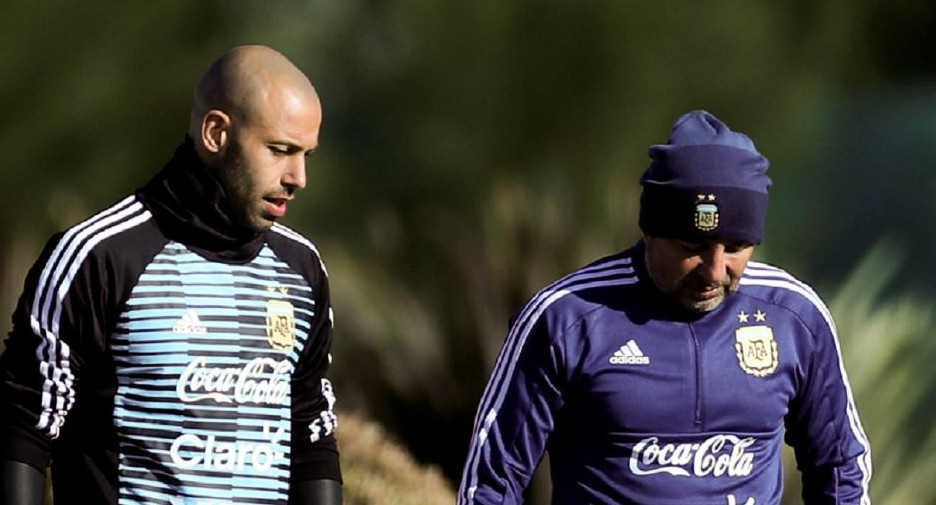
(255, 121)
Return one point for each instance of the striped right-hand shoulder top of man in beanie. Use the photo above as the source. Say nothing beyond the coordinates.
(777, 286)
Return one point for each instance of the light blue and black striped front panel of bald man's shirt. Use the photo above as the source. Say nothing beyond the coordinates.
(203, 407)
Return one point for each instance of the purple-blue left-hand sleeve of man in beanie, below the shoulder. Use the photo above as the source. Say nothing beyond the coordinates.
(515, 417)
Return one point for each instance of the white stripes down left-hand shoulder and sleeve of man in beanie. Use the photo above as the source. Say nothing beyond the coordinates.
(603, 274)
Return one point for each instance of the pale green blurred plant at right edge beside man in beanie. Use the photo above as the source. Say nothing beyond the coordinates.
(889, 352)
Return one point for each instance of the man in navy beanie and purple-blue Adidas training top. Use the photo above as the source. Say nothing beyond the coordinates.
(670, 373)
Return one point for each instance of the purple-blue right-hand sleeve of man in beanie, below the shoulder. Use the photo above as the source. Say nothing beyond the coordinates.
(832, 450)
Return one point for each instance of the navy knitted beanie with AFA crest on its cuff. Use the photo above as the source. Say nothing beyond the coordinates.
(707, 182)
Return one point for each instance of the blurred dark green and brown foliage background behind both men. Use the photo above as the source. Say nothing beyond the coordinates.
(474, 151)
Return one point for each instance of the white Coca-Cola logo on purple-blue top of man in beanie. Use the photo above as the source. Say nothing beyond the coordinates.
(715, 456)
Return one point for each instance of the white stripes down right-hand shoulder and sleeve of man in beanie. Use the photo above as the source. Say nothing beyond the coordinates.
(762, 274)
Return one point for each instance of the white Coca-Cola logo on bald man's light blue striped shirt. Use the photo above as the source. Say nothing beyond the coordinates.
(261, 381)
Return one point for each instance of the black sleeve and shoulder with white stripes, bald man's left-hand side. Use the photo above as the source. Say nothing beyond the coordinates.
(69, 304)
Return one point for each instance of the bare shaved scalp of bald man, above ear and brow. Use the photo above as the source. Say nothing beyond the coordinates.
(243, 80)
